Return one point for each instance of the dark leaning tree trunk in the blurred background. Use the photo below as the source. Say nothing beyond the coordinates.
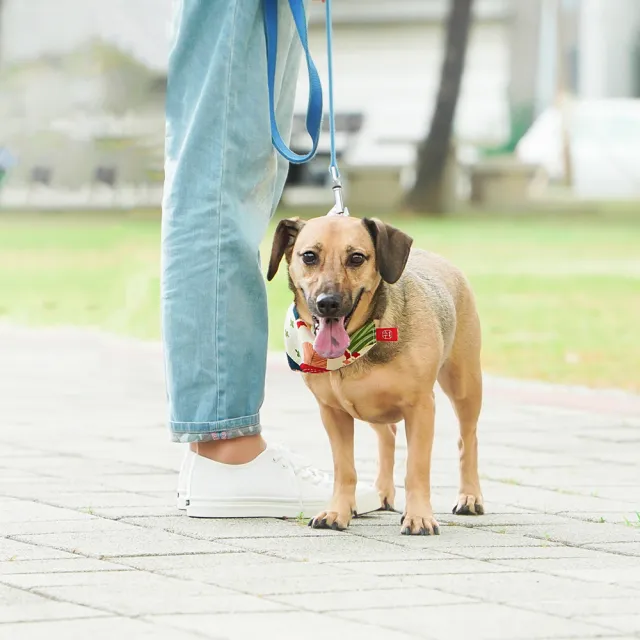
(428, 193)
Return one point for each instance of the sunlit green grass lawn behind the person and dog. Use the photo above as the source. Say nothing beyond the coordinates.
(559, 298)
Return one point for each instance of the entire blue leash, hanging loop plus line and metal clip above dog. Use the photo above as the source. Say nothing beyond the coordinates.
(315, 106)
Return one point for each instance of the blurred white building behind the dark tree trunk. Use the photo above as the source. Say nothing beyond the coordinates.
(387, 61)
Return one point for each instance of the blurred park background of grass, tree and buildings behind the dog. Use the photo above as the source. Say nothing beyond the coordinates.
(504, 134)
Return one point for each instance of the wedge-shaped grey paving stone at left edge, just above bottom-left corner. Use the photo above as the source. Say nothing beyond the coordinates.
(17, 605)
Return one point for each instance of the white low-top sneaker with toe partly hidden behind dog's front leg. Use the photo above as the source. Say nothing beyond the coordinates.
(274, 485)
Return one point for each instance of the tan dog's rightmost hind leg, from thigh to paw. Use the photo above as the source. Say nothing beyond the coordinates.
(461, 379)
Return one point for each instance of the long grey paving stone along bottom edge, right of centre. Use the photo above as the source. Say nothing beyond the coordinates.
(478, 621)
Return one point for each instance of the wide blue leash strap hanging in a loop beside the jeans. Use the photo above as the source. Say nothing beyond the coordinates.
(314, 108)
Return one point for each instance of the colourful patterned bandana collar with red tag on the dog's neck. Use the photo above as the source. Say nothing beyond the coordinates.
(299, 339)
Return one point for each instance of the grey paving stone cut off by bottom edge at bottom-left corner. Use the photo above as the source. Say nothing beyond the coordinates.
(103, 628)
